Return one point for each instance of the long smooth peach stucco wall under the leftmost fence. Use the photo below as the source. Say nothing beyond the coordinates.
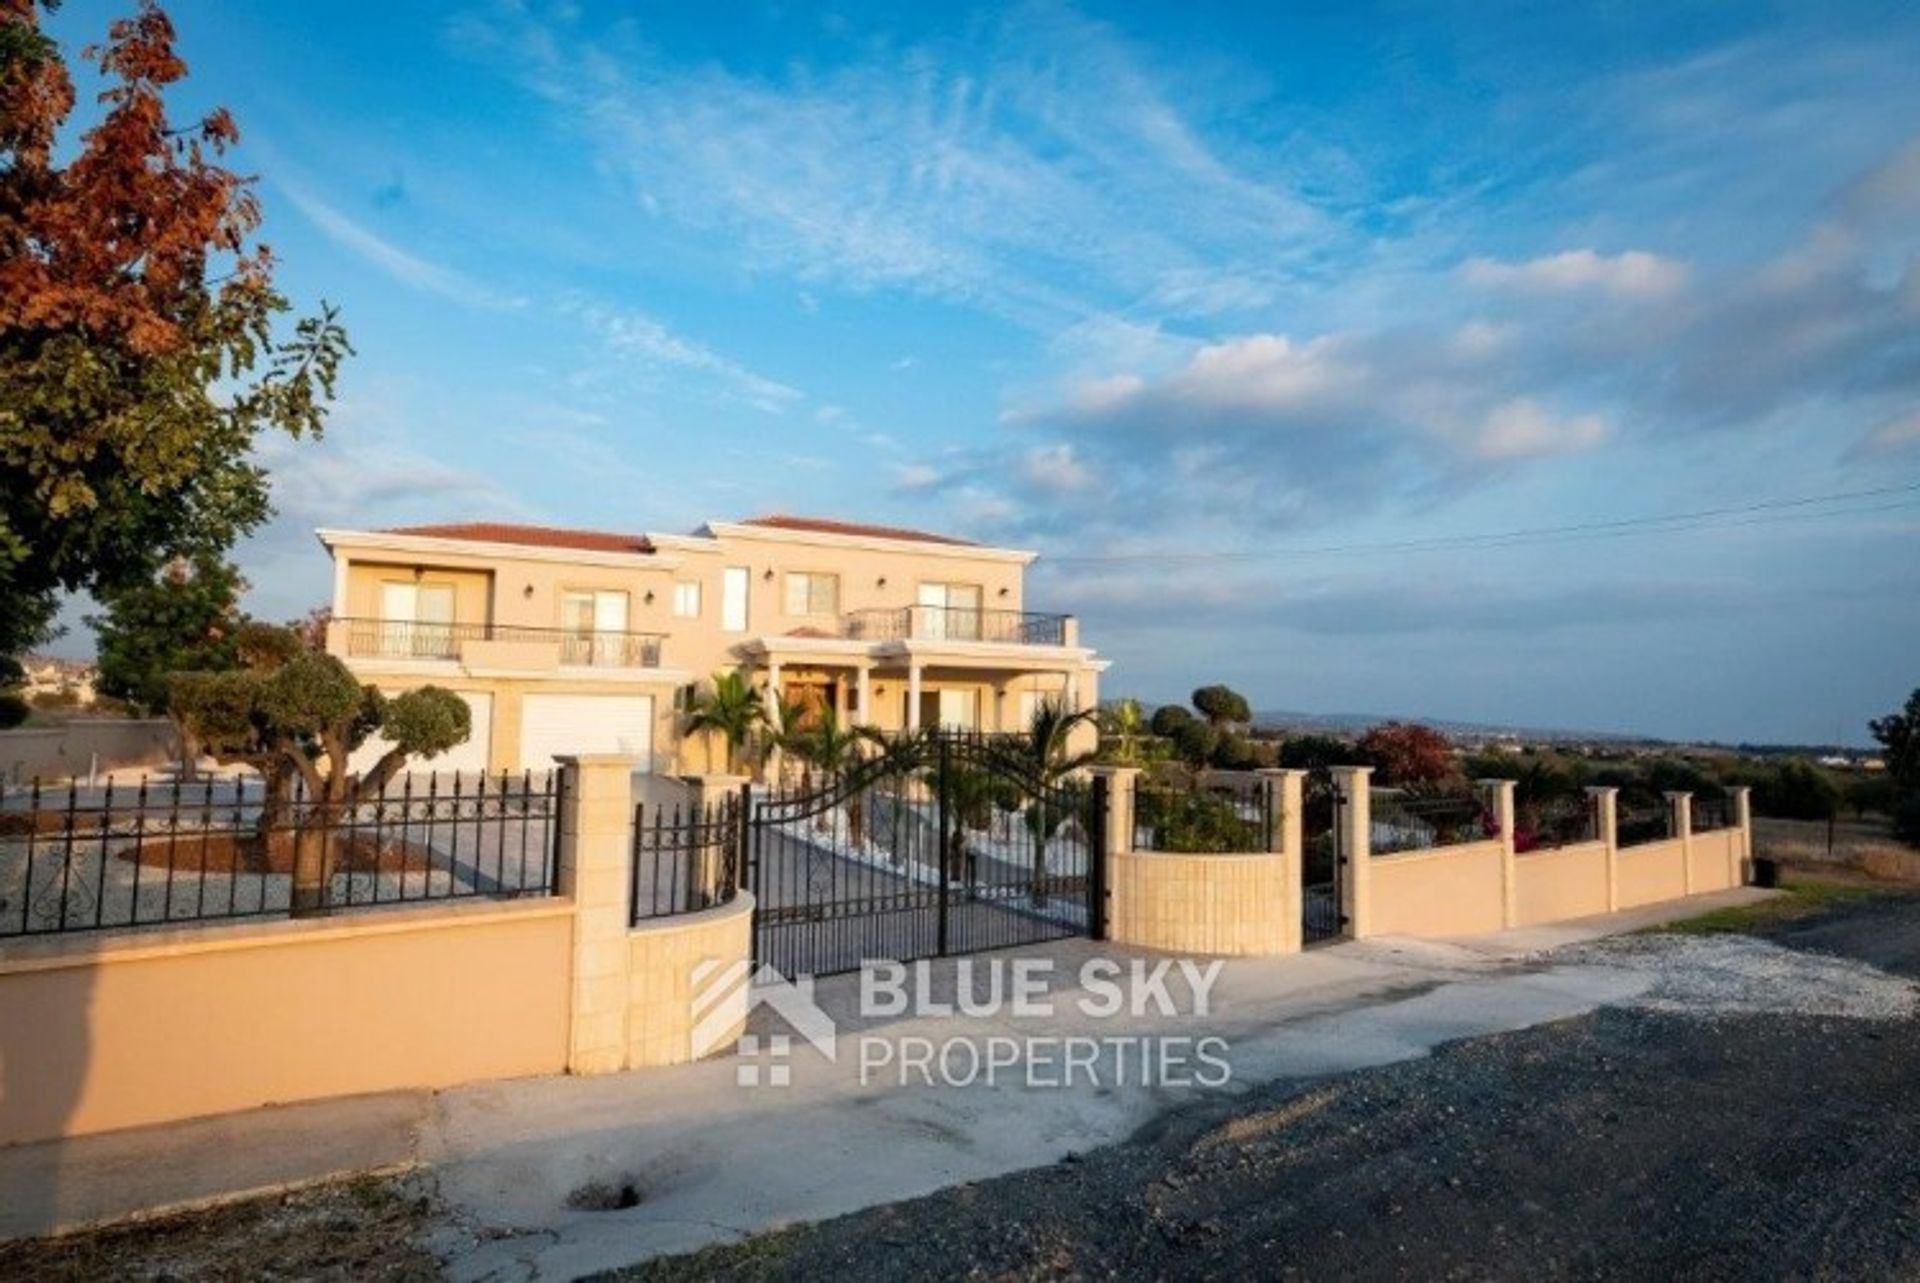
(160, 1027)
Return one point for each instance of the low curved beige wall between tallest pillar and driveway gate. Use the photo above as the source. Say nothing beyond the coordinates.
(661, 961)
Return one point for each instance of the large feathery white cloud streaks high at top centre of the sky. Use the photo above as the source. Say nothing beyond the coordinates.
(1034, 170)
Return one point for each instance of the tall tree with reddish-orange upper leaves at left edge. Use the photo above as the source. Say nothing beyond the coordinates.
(139, 343)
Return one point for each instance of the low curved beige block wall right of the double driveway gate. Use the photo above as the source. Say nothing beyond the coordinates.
(1199, 904)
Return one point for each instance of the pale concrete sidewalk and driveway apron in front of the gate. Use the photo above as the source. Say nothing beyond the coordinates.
(702, 1159)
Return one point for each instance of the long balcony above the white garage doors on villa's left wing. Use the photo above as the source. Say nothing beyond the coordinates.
(496, 646)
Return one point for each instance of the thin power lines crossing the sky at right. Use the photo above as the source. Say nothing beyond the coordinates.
(1767, 512)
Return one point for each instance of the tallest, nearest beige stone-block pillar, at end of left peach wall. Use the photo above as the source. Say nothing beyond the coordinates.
(594, 871)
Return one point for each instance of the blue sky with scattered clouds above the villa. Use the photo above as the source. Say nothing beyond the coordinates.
(1316, 287)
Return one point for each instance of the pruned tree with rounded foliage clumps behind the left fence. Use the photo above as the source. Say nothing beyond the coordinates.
(299, 715)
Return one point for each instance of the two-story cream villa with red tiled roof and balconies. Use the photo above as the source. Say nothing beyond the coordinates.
(590, 642)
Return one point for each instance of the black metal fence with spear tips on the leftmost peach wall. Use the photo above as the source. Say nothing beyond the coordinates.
(168, 852)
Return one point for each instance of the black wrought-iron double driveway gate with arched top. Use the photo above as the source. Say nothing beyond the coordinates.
(940, 844)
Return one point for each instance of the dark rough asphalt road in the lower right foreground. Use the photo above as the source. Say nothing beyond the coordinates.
(1627, 1144)
